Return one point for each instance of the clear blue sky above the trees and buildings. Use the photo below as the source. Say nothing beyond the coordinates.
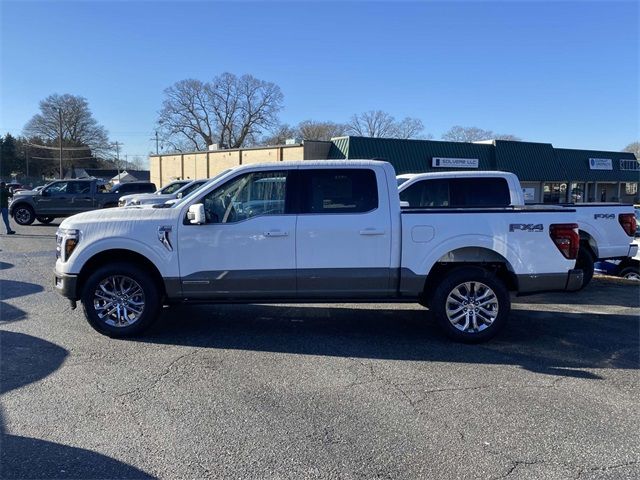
(559, 72)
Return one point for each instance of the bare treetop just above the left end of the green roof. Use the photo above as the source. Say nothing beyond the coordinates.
(379, 124)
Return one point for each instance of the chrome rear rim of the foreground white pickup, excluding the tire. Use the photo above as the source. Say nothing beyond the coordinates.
(472, 307)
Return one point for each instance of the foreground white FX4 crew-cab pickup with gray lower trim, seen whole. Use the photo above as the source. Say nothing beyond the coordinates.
(312, 231)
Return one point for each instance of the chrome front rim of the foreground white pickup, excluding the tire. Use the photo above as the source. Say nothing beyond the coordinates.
(119, 301)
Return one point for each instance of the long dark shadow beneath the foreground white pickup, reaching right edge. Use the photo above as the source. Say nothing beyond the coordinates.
(543, 342)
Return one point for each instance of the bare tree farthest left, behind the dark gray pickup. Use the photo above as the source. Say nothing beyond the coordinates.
(79, 128)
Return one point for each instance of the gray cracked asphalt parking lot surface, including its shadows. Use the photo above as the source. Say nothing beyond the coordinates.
(314, 391)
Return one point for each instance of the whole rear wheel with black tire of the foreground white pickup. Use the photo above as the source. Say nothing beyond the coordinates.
(487, 325)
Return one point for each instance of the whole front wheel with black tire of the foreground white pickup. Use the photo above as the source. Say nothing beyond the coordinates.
(120, 300)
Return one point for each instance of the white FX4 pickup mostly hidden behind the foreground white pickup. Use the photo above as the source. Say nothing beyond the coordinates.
(606, 229)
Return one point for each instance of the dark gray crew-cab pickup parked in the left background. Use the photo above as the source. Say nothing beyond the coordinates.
(64, 198)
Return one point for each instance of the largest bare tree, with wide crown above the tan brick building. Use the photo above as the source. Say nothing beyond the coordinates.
(231, 111)
